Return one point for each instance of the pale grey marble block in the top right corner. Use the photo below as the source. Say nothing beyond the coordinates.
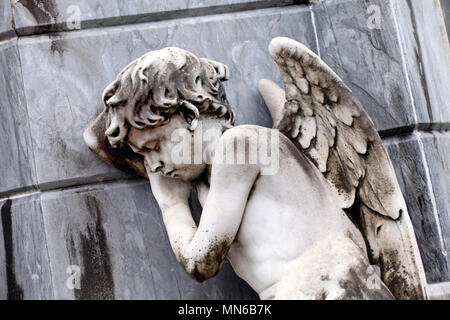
(427, 58)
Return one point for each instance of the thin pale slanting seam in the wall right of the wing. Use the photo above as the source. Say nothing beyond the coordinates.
(416, 130)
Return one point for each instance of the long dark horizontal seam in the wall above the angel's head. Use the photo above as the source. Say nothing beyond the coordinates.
(157, 16)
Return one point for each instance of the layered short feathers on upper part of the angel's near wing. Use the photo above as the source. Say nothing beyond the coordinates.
(329, 125)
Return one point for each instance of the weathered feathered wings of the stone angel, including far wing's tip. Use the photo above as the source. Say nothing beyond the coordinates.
(322, 118)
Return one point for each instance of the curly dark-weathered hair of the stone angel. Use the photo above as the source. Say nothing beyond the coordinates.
(148, 91)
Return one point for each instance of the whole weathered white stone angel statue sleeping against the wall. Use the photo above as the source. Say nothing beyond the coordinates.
(313, 220)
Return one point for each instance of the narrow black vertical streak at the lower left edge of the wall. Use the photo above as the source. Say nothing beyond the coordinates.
(15, 292)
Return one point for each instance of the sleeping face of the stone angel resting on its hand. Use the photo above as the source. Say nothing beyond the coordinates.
(157, 146)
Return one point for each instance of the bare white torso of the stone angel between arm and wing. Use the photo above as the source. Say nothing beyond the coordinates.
(291, 222)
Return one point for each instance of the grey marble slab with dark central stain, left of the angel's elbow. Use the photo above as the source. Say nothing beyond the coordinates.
(141, 261)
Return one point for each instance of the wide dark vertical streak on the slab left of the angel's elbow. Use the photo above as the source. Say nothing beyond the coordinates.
(91, 253)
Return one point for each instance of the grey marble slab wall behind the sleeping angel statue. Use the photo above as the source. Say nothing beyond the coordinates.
(61, 206)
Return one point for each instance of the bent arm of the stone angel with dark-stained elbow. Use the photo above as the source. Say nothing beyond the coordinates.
(202, 250)
